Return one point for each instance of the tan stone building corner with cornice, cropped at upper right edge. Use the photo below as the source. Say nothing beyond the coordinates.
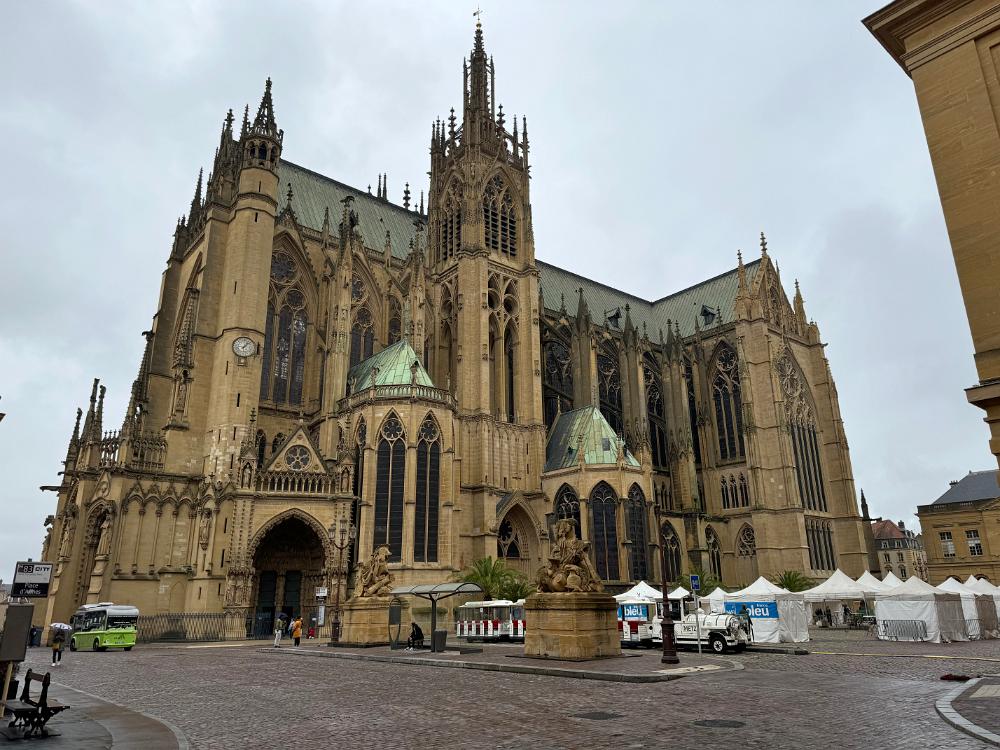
(951, 50)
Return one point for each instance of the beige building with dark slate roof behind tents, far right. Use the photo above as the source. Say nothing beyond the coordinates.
(961, 529)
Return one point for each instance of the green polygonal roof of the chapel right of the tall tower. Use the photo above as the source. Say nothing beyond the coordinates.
(584, 430)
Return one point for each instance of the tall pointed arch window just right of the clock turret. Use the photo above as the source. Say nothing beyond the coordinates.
(285, 328)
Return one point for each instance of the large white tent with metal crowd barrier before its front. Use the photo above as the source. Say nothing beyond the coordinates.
(901, 612)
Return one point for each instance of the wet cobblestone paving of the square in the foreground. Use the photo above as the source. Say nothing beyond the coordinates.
(226, 697)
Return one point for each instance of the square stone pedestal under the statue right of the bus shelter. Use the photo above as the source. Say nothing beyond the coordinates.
(571, 626)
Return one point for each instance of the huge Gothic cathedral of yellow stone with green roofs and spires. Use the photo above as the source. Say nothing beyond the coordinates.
(320, 355)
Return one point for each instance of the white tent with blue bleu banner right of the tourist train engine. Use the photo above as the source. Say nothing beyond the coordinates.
(776, 614)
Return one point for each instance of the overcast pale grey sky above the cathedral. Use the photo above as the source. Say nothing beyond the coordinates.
(664, 135)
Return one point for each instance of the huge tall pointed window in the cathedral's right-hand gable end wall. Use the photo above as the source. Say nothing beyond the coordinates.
(802, 428)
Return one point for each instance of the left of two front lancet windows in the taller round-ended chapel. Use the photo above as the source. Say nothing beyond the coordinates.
(390, 480)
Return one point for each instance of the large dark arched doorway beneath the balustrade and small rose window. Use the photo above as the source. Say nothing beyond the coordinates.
(290, 563)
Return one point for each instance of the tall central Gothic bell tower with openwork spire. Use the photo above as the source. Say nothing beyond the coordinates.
(482, 259)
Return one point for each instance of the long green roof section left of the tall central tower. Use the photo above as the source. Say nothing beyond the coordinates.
(313, 193)
